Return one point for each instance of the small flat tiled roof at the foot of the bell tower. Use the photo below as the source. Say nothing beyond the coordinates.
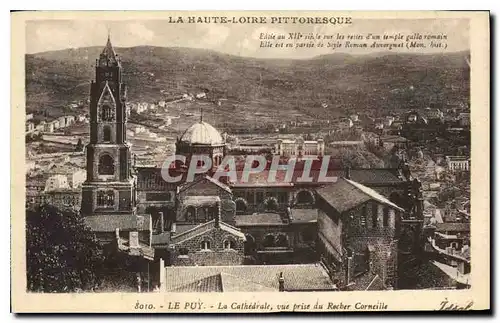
(109, 223)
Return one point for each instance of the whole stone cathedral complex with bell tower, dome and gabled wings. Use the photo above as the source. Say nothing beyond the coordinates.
(348, 225)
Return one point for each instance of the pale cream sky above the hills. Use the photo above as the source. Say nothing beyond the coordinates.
(236, 39)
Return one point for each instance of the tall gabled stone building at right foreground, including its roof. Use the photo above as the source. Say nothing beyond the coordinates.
(357, 234)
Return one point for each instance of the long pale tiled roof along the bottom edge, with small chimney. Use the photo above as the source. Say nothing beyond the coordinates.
(247, 278)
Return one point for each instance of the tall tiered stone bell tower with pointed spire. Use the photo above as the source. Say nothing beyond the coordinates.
(110, 185)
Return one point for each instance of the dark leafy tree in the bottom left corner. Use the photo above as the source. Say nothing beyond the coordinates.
(62, 253)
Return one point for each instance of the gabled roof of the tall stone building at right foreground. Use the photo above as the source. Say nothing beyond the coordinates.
(346, 194)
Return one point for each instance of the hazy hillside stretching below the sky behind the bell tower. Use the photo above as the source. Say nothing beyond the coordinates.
(376, 83)
